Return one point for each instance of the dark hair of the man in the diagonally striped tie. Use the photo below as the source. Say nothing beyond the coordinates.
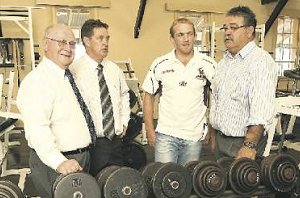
(89, 25)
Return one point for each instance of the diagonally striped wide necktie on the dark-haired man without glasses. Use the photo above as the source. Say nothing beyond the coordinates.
(106, 104)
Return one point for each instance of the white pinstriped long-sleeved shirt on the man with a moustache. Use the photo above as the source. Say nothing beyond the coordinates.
(244, 91)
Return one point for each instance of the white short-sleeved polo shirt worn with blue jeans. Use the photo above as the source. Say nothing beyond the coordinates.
(181, 105)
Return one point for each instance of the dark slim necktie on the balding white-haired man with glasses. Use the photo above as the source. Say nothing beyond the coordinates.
(83, 107)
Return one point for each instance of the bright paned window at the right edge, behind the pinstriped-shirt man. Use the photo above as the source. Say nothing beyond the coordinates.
(286, 43)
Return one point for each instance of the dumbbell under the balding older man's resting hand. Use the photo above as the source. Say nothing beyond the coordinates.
(76, 185)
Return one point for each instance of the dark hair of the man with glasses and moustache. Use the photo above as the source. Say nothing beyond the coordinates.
(246, 13)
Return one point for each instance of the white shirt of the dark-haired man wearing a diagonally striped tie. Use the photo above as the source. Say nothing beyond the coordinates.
(85, 74)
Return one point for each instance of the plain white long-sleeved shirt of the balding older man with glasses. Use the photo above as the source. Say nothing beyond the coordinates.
(52, 117)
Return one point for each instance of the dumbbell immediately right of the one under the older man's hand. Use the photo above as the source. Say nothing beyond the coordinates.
(122, 182)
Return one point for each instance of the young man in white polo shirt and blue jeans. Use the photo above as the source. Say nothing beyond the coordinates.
(180, 76)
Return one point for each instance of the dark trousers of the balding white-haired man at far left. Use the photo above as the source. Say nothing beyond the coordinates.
(43, 176)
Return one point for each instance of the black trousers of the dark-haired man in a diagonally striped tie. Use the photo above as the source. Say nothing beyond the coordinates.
(104, 153)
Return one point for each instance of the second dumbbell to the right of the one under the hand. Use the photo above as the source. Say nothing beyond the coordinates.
(167, 180)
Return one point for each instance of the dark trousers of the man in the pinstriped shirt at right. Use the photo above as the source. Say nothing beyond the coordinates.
(227, 146)
